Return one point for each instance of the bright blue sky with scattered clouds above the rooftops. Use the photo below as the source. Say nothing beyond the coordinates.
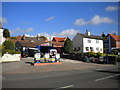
(60, 18)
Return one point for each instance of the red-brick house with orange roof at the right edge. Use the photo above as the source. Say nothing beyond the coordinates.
(111, 41)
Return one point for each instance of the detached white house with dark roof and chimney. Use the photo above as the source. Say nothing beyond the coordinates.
(83, 43)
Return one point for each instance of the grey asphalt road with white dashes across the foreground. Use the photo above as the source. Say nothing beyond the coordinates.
(105, 77)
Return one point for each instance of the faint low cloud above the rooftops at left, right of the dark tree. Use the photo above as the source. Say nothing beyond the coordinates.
(19, 30)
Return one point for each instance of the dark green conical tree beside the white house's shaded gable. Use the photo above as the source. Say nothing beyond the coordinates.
(68, 46)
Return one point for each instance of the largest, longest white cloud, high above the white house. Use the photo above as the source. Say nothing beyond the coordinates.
(94, 21)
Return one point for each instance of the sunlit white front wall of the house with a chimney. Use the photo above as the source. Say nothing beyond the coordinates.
(92, 44)
